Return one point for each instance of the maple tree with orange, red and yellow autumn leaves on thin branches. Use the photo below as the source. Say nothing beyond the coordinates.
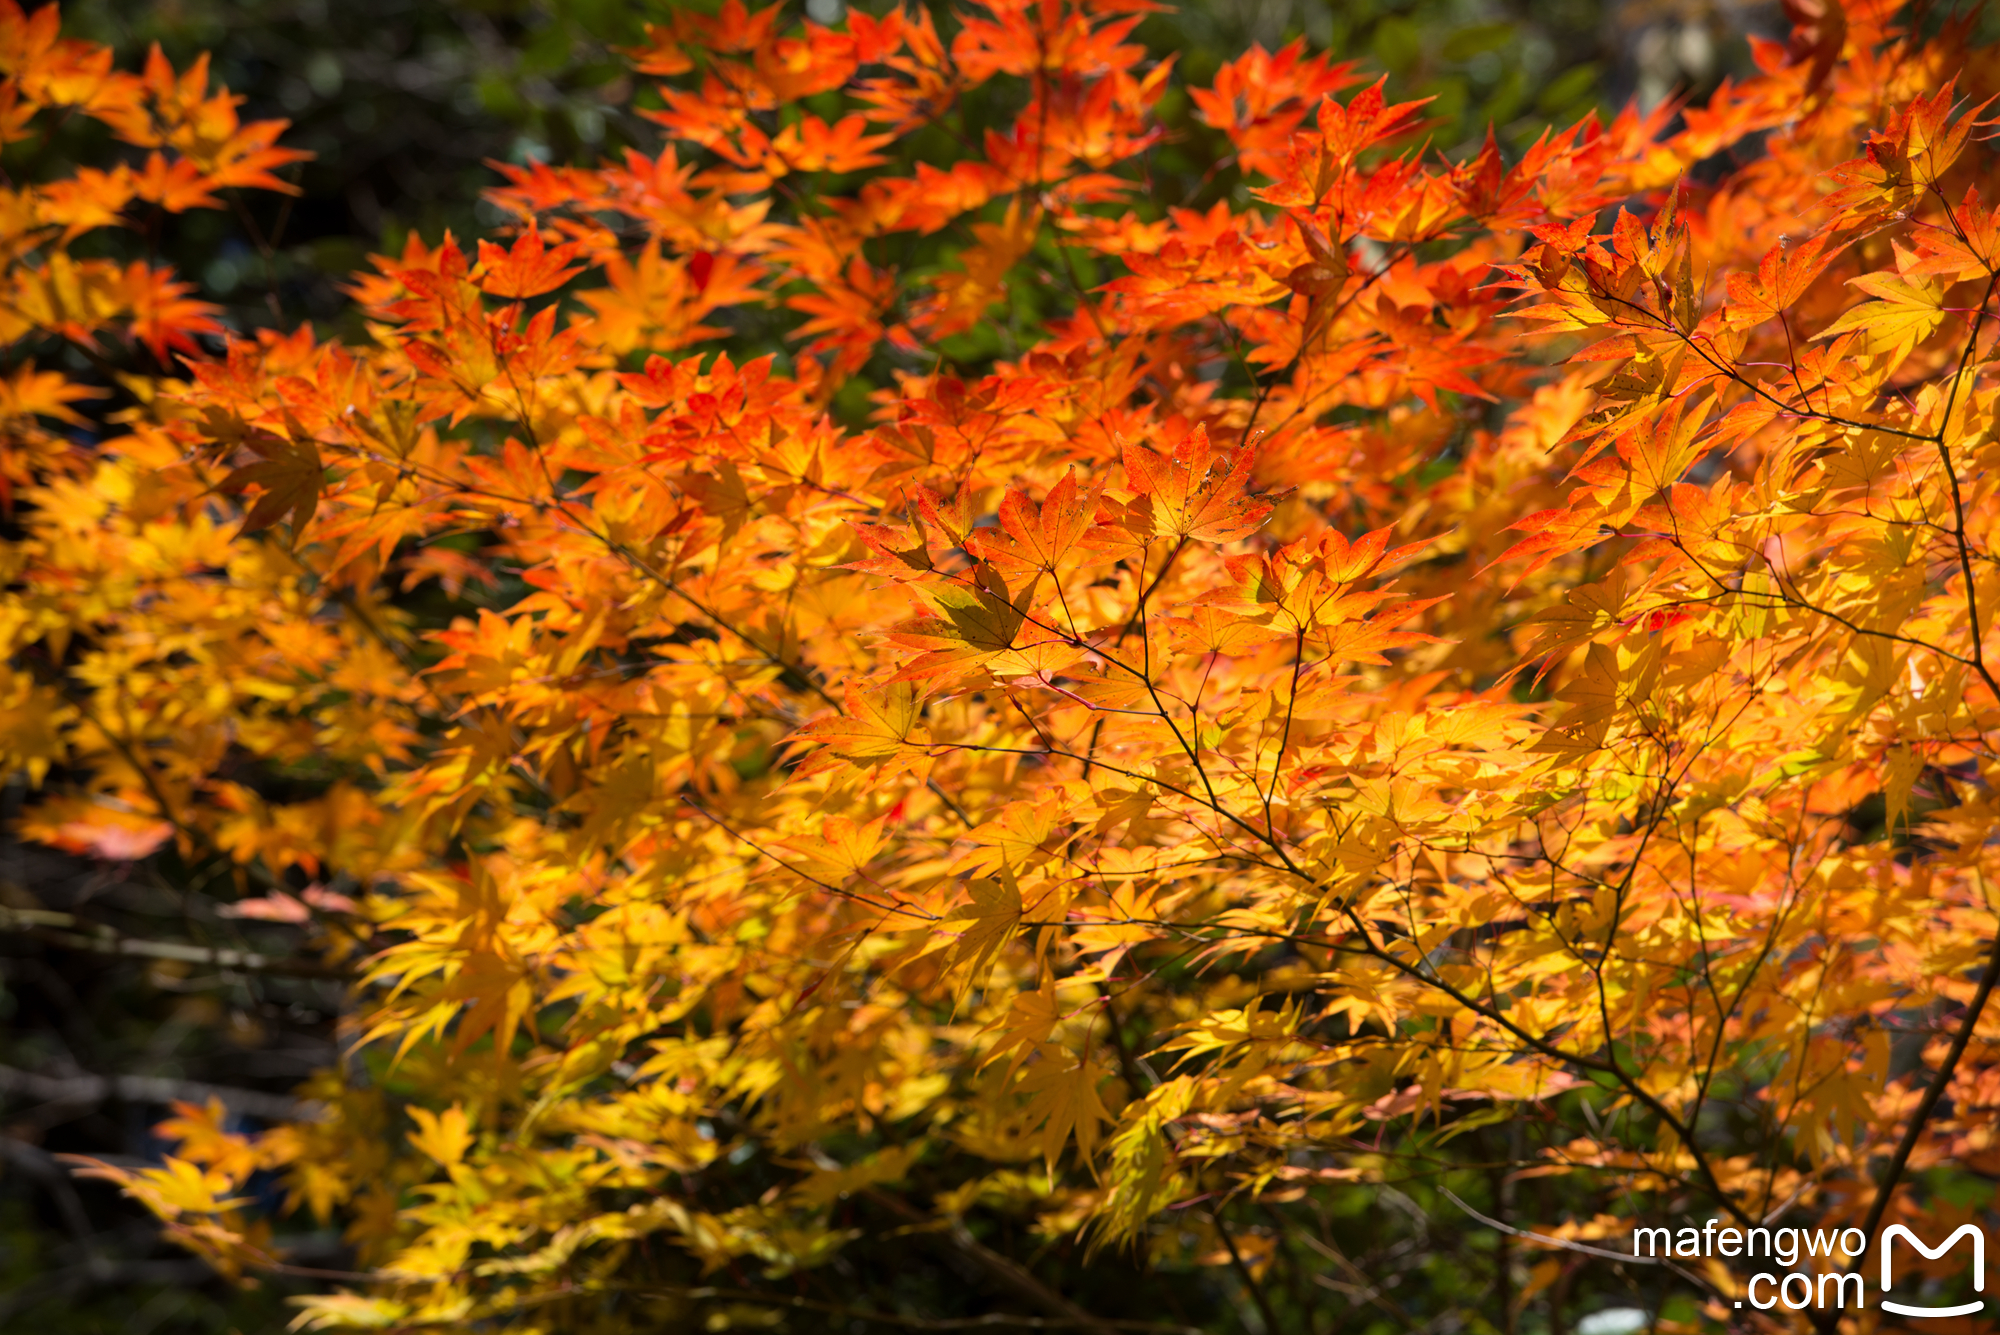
(1429, 692)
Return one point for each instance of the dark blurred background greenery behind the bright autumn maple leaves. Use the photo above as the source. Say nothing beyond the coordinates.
(405, 105)
